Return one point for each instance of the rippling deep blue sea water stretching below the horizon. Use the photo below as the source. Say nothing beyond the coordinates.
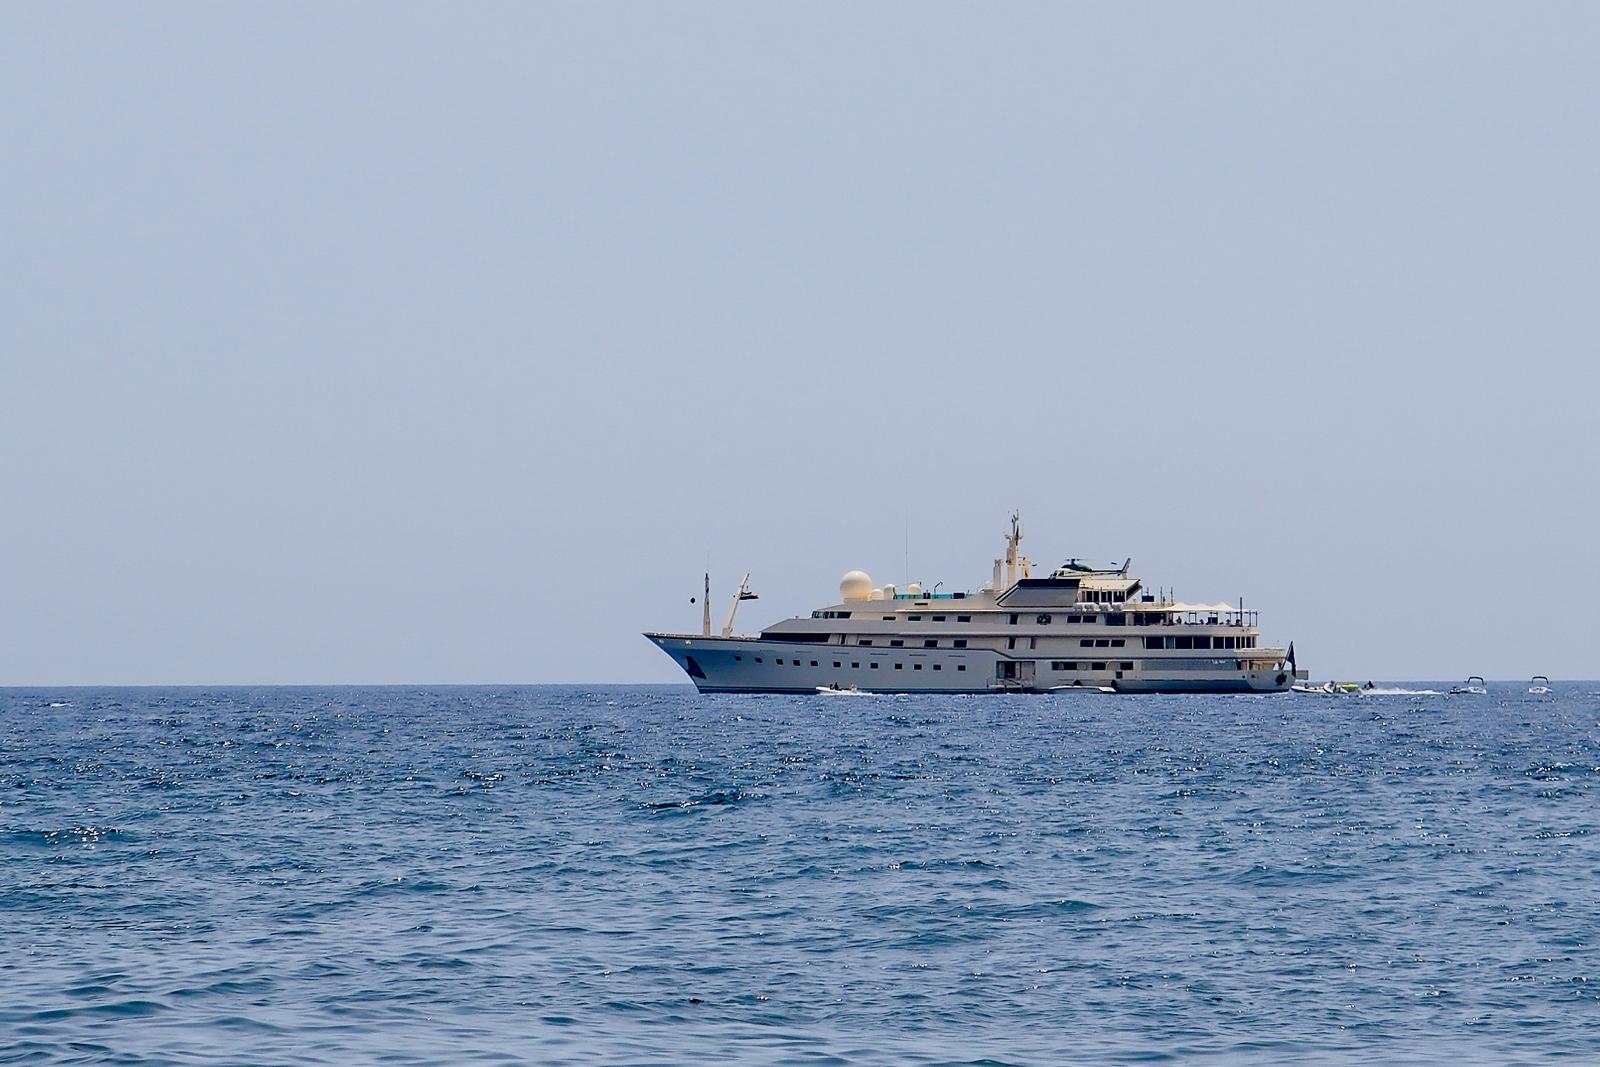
(644, 876)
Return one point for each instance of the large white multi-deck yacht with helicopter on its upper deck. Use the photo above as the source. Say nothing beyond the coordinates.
(1079, 628)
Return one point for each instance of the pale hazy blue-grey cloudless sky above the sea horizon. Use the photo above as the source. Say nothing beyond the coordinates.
(444, 343)
